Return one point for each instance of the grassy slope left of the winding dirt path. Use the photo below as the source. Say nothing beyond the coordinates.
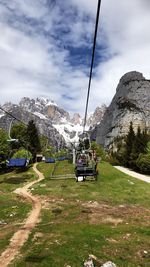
(14, 209)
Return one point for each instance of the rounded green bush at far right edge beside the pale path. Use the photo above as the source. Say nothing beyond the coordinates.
(143, 163)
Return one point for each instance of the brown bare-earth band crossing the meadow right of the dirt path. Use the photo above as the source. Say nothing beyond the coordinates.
(100, 213)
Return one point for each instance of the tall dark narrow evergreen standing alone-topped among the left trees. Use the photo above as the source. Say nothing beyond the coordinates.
(33, 139)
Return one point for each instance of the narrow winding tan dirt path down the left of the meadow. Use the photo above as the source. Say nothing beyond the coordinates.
(22, 234)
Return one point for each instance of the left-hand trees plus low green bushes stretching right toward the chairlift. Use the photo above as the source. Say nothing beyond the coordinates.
(28, 143)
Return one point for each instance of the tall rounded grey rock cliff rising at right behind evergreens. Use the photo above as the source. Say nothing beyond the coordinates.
(130, 103)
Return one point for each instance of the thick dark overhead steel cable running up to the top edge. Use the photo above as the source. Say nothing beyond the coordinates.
(92, 62)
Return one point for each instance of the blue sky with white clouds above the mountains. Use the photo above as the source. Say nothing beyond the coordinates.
(46, 47)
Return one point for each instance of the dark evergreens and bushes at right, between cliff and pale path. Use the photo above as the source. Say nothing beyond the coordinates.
(133, 150)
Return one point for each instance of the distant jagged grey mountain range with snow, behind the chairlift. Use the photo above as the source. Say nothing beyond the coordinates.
(51, 120)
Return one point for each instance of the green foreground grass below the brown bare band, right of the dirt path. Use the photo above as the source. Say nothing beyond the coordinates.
(71, 244)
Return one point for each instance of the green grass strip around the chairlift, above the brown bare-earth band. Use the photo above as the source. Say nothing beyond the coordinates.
(112, 186)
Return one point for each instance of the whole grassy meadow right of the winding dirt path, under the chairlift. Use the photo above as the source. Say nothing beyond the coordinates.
(109, 218)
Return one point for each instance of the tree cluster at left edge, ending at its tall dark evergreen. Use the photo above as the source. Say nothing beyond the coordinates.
(24, 142)
